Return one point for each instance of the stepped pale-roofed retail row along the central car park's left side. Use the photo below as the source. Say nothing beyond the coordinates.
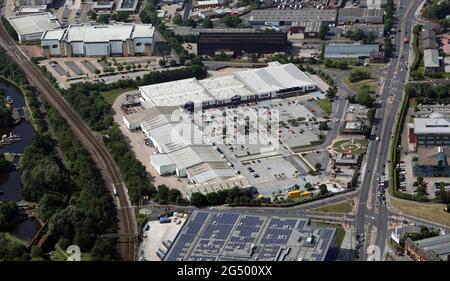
(181, 149)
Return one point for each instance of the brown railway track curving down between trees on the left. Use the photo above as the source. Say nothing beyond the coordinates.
(126, 227)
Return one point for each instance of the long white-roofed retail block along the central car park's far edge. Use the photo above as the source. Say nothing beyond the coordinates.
(275, 80)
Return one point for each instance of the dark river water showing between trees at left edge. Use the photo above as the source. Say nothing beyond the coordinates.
(10, 183)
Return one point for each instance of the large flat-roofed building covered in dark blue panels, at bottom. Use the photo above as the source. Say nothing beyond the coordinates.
(228, 236)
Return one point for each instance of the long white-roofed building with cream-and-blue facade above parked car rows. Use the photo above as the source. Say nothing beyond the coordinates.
(99, 40)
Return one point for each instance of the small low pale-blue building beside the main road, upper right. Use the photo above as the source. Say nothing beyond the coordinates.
(348, 51)
